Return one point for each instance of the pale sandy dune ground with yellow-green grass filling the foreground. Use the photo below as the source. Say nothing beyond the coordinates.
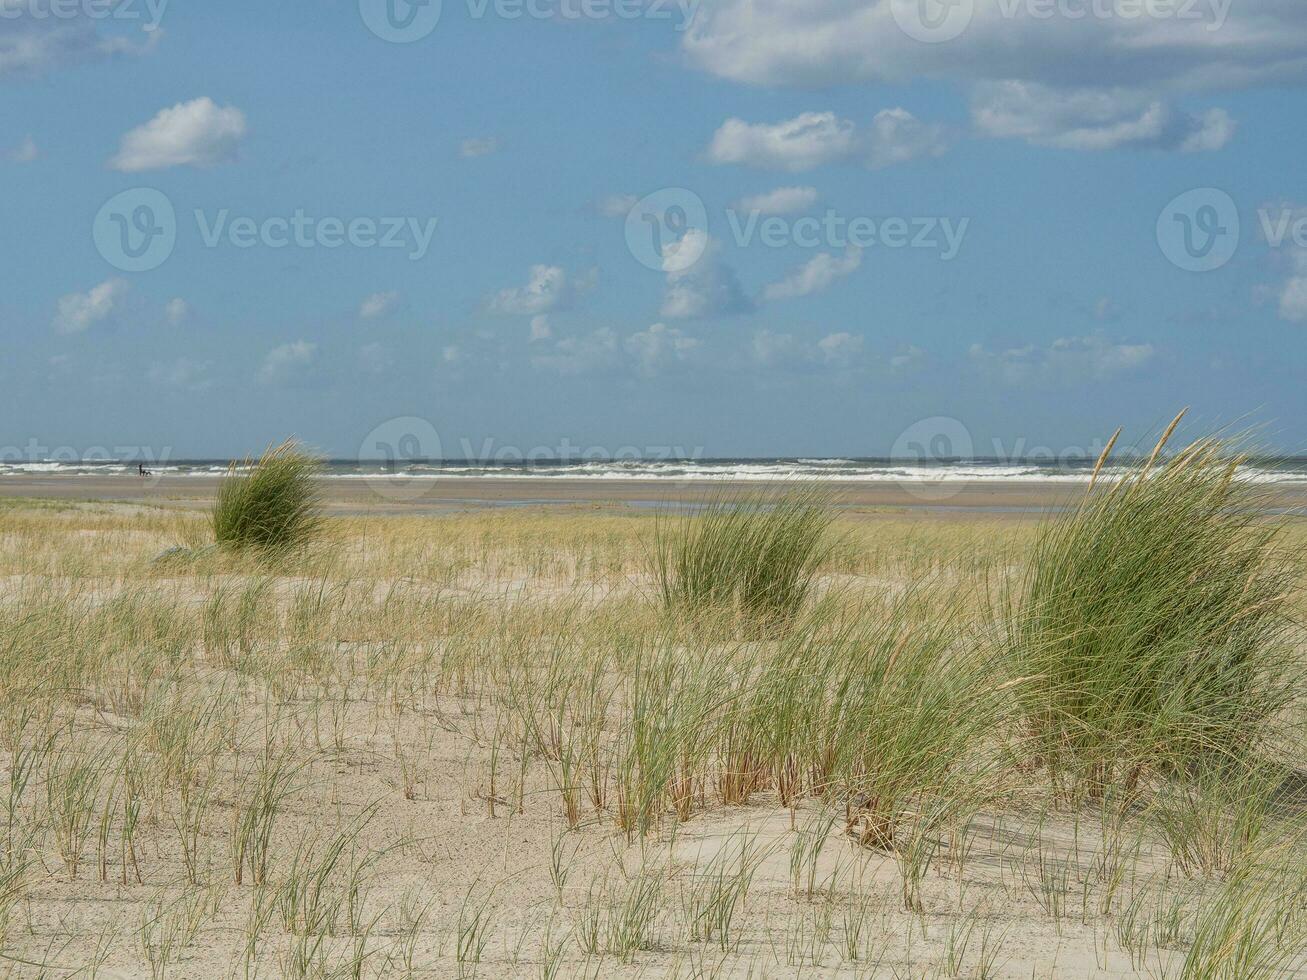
(487, 745)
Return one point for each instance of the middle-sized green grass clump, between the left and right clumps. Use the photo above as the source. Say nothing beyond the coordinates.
(757, 556)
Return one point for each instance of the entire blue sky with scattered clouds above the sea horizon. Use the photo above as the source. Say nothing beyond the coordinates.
(733, 228)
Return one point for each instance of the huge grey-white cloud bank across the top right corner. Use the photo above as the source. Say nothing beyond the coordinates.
(1113, 80)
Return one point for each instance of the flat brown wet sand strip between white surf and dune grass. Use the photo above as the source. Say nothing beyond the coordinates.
(380, 496)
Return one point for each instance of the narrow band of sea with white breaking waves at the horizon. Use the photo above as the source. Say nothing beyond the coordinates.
(836, 470)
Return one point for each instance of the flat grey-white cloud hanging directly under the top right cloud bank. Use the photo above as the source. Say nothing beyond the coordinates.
(1095, 120)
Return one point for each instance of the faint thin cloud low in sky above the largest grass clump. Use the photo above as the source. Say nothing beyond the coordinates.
(1066, 361)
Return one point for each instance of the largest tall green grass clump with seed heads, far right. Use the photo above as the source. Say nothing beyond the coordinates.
(1152, 625)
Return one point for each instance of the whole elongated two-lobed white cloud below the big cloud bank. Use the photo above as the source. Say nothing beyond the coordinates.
(815, 139)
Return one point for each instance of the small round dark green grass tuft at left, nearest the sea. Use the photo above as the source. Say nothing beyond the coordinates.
(271, 505)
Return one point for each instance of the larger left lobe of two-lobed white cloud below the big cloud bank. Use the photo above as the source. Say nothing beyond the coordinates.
(798, 144)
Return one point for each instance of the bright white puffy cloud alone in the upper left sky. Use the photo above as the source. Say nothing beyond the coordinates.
(197, 134)
